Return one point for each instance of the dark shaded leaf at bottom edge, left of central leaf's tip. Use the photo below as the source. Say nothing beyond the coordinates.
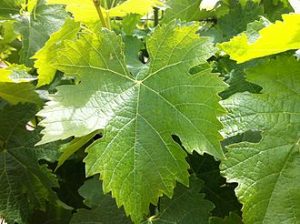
(103, 207)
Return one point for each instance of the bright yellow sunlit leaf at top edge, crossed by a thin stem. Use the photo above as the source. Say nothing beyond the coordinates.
(84, 10)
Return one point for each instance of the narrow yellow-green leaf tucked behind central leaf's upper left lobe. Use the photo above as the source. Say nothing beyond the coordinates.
(48, 53)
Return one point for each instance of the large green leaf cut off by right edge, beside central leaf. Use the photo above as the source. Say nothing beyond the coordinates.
(267, 172)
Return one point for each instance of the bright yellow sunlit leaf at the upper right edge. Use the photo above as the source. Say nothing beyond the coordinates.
(287, 33)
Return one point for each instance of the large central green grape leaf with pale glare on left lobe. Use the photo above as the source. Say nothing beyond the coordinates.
(137, 157)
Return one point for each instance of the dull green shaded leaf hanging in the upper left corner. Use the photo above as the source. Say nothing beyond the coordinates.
(36, 28)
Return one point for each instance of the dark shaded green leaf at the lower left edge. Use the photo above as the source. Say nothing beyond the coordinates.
(24, 185)
